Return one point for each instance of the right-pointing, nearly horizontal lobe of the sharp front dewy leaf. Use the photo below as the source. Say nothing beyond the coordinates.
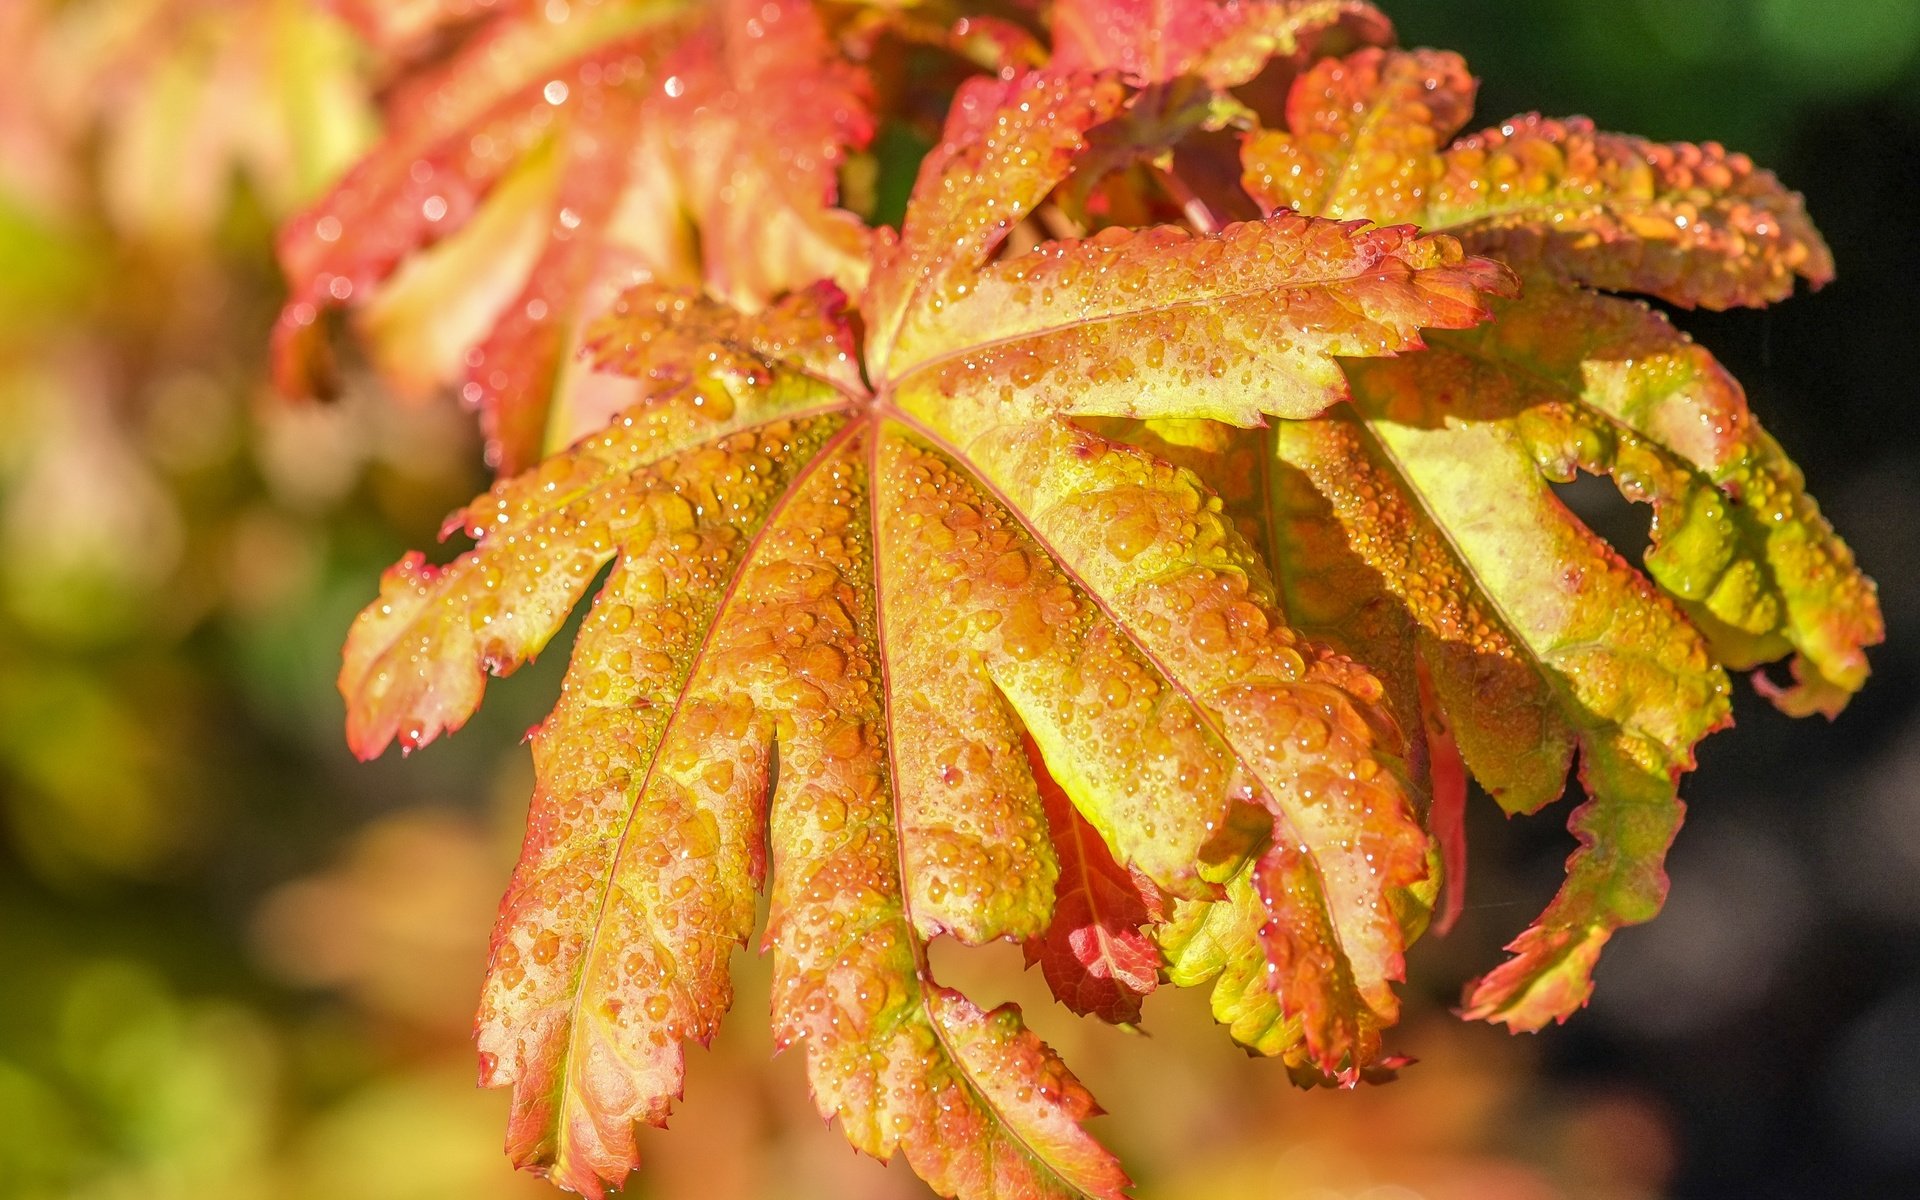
(1228, 327)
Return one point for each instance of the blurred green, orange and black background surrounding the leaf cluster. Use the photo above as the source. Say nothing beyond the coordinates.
(237, 965)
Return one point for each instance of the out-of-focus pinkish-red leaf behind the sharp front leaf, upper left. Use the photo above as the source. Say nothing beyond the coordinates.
(552, 162)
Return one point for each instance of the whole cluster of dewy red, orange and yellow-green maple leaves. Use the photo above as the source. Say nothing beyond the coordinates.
(1132, 556)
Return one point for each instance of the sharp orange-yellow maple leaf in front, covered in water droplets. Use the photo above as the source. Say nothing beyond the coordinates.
(882, 556)
